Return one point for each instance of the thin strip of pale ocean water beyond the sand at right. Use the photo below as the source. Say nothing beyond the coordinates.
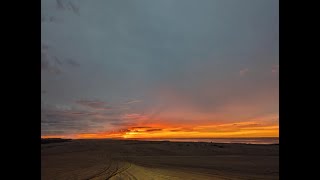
(223, 140)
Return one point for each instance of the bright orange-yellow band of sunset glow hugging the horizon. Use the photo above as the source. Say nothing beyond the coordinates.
(250, 129)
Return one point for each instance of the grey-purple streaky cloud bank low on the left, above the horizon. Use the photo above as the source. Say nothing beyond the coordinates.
(56, 118)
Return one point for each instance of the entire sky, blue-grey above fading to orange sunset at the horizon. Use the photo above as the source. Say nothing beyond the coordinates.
(159, 69)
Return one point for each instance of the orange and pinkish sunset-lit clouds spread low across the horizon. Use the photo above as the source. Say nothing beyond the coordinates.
(179, 121)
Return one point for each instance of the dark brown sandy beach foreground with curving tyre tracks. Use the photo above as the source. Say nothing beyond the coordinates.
(119, 159)
